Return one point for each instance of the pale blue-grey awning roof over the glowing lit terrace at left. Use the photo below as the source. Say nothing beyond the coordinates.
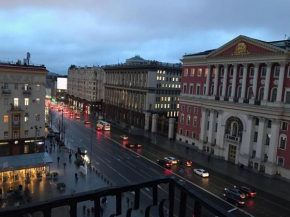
(16, 162)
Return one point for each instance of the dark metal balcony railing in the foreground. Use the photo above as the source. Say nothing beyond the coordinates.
(202, 203)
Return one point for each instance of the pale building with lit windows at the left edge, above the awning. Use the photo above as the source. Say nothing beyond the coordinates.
(22, 100)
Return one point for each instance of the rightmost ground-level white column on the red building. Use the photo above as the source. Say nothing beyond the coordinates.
(272, 151)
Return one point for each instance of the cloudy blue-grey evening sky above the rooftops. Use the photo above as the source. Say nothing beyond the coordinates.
(59, 33)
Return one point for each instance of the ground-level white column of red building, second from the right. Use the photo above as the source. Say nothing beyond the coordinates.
(260, 150)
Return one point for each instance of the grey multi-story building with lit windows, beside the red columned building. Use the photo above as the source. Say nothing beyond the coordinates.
(138, 88)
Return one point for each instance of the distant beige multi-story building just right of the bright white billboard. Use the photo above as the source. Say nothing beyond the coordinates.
(85, 88)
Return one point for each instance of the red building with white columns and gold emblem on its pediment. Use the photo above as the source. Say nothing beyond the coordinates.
(235, 103)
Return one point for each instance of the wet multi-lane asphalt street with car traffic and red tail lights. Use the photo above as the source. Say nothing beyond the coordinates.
(123, 166)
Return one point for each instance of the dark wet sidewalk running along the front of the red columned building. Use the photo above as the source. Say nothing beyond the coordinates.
(274, 186)
